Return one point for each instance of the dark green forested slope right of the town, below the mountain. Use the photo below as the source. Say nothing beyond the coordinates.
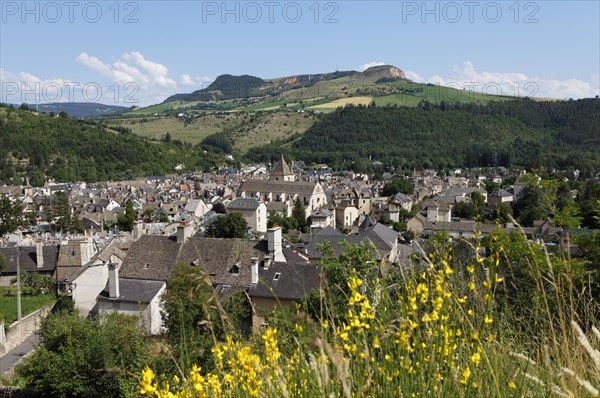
(524, 133)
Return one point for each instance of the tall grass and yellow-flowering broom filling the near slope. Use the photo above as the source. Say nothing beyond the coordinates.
(443, 330)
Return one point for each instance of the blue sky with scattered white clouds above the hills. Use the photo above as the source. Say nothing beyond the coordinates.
(140, 52)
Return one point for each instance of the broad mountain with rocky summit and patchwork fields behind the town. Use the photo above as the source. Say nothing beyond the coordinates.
(250, 112)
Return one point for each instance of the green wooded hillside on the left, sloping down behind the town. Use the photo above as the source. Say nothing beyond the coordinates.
(37, 146)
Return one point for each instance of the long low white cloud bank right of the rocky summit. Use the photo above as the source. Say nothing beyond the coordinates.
(512, 83)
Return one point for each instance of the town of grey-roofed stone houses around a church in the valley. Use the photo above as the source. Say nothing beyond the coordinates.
(100, 264)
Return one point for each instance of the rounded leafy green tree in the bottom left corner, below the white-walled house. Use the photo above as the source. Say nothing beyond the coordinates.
(79, 357)
